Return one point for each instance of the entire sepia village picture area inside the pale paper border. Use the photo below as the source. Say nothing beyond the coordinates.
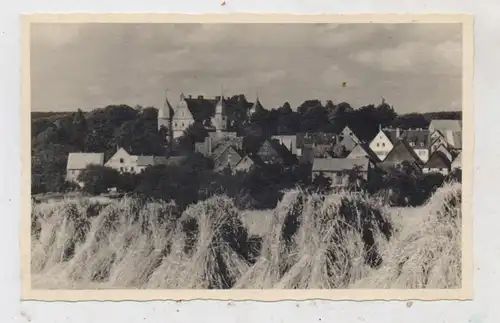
(218, 156)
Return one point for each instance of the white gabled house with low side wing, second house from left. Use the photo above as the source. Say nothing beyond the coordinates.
(124, 162)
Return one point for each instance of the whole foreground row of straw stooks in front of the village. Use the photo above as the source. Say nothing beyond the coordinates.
(308, 241)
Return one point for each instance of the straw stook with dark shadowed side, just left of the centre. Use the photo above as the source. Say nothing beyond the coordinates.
(210, 248)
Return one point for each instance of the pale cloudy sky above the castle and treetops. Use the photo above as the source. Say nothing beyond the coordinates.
(415, 67)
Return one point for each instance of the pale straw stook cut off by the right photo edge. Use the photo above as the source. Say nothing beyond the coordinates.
(427, 254)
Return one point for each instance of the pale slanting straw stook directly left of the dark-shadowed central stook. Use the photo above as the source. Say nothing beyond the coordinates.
(116, 235)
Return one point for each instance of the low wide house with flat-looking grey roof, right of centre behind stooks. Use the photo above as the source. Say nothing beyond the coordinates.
(340, 170)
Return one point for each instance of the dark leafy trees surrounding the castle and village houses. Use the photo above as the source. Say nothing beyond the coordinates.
(54, 135)
